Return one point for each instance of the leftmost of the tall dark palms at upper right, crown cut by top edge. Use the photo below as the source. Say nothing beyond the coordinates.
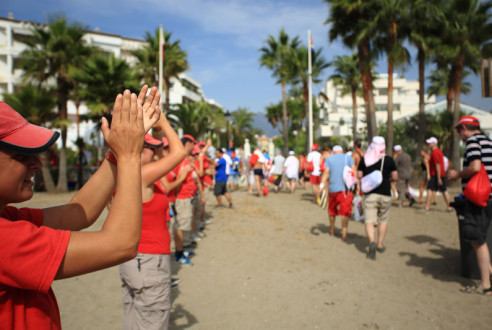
(349, 21)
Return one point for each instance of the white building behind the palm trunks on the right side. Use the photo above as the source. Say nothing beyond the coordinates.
(336, 112)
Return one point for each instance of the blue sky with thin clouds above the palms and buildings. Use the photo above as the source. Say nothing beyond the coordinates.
(222, 38)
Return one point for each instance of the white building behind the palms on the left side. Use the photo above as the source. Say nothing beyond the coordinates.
(184, 90)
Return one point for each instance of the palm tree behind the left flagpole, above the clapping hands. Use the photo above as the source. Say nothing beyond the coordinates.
(175, 61)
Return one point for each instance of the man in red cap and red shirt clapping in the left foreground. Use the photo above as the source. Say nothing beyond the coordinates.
(41, 245)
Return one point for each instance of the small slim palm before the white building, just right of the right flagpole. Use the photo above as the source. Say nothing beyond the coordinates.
(347, 75)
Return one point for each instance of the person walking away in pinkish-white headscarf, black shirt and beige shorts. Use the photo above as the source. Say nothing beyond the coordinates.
(377, 193)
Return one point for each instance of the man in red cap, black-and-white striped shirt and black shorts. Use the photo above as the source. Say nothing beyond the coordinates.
(478, 151)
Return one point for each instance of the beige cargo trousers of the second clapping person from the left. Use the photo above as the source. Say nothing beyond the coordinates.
(146, 290)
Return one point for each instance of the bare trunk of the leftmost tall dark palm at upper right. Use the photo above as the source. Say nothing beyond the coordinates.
(365, 71)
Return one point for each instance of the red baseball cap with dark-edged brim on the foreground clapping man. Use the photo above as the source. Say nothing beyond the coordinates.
(19, 136)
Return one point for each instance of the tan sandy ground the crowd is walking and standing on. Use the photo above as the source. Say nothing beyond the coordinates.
(270, 263)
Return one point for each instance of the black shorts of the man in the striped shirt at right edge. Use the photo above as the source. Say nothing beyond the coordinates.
(476, 222)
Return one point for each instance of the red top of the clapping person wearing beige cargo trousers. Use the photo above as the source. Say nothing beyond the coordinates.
(155, 238)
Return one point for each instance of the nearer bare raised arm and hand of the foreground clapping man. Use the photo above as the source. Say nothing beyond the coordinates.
(118, 239)
